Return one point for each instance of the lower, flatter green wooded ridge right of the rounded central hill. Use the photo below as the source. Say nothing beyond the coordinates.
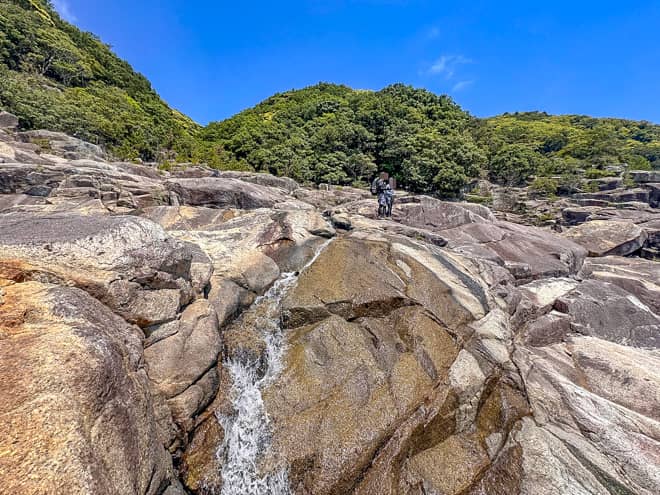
(535, 143)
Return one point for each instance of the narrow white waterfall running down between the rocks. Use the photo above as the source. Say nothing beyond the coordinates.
(247, 433)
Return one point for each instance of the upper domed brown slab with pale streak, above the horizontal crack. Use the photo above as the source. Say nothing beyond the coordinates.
(363, 277)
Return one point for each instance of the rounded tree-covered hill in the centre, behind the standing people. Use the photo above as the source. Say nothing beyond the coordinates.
(331, 133)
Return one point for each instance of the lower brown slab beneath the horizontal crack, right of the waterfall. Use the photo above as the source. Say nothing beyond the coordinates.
(345, 390)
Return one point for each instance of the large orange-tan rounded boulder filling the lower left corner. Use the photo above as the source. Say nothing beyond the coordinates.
(75, 407)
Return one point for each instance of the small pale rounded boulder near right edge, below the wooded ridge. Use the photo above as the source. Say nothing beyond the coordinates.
(603, 238)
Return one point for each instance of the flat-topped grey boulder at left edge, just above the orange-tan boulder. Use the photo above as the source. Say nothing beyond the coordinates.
(128, 263)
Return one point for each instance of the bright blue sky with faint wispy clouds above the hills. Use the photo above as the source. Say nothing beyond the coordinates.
(211, 59)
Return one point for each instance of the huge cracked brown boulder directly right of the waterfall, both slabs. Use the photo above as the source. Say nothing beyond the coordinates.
(373, 382)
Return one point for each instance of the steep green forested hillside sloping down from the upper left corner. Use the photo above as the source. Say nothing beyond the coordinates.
(54, 76)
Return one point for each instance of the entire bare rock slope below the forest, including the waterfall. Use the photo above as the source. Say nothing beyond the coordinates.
(235, 333)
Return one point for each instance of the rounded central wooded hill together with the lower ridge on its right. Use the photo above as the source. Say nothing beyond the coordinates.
(330, 133)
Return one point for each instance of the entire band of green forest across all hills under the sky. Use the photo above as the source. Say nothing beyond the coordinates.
(56, 77)
